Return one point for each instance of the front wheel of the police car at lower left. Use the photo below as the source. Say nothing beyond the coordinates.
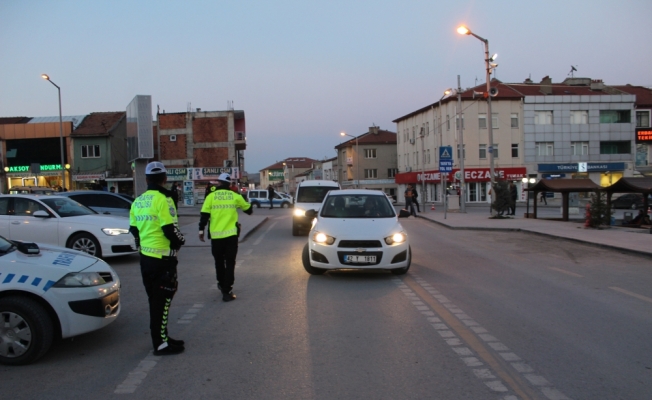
(26, 331)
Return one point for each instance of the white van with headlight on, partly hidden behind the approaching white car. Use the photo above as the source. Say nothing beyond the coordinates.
(310, 195)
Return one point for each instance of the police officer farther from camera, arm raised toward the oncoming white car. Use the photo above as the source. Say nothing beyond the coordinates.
(221, 207)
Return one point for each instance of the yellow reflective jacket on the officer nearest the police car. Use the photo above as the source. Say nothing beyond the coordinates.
(149, 212)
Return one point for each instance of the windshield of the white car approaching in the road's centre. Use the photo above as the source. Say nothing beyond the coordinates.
(357, 206)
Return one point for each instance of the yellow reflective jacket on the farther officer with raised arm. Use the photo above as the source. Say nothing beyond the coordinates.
(222, 205)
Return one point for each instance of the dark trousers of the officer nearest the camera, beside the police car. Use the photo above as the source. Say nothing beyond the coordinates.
(160, 280)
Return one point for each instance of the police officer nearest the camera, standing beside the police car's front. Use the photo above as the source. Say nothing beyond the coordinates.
(153, 222)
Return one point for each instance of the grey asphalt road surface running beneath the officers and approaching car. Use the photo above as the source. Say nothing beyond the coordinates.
(480, 315)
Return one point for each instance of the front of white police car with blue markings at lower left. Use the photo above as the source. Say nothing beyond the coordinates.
(49, 292)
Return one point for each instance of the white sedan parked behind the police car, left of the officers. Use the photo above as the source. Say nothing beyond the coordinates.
(61, 221)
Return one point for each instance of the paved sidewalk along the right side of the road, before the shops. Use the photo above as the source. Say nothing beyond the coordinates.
(633, 240)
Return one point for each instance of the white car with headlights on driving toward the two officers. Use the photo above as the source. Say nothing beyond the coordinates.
(356, 229)
